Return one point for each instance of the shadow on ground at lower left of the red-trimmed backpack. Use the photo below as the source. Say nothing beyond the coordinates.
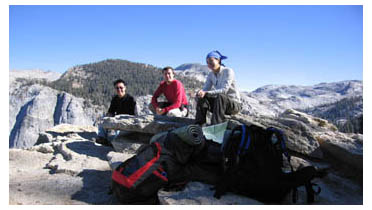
(96, 188)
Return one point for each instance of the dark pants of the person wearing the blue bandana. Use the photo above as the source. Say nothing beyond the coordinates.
(220, 105)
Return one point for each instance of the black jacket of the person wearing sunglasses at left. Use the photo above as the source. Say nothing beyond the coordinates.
(125, 105)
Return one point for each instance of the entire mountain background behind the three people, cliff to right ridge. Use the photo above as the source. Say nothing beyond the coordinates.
(38, 100)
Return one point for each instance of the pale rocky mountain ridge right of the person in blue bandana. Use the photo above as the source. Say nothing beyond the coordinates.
(338, 102)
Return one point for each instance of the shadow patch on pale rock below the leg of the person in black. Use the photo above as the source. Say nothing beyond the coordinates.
(90, 149)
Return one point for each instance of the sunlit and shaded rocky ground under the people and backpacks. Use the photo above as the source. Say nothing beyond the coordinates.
(68, 167)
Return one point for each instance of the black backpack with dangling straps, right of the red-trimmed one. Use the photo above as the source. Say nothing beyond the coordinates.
(253, 166)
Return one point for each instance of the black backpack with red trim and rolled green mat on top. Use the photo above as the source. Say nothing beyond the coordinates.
(161, 164)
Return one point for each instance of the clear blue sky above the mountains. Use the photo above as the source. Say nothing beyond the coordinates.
(292, 45)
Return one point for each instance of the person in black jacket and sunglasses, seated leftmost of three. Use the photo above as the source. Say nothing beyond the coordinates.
(121, 103)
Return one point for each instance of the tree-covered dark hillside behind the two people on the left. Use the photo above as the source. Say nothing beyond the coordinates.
(95, 81)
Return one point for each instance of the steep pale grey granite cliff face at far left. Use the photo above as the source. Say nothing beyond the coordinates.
(35, 108)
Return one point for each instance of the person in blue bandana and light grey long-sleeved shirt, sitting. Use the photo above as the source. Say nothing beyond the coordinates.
(224, 98)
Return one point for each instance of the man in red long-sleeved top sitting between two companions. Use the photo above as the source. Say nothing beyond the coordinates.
(174, 92)
